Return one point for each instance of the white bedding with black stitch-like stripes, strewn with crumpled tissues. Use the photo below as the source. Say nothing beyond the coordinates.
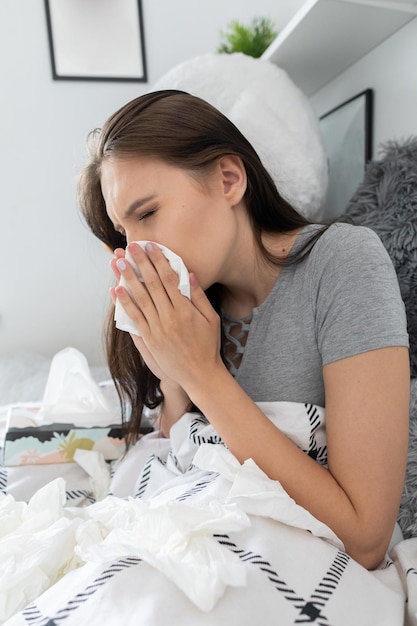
(179, 528)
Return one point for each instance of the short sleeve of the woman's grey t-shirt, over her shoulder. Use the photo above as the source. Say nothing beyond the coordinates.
(355, 295)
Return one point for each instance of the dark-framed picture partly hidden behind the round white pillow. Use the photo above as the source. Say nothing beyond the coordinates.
(347, 135)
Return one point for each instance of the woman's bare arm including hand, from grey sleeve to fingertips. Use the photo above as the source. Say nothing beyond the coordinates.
(367, 403)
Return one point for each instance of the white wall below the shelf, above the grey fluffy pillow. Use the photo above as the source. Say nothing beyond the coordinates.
(391, 71)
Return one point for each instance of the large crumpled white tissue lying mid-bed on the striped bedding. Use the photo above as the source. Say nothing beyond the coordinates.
(177, 539)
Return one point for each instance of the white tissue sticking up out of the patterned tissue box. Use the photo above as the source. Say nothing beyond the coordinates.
(72, 395)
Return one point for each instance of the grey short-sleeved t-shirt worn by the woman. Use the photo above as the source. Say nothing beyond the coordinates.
(341, 300)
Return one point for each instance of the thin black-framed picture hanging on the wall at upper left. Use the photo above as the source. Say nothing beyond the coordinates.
(96, 40)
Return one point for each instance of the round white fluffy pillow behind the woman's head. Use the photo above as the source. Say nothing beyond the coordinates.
(273, 114)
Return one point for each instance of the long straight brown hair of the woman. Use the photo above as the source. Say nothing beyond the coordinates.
(187, 132)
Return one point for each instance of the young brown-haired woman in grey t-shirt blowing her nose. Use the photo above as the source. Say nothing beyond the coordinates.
(280, 309)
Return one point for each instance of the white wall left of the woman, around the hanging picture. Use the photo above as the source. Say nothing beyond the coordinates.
(54, 275)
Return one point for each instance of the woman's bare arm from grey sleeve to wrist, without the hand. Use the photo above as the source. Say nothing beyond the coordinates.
(367, 403)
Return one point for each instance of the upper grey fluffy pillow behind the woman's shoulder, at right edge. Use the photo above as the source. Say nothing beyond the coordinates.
(386, 201)
